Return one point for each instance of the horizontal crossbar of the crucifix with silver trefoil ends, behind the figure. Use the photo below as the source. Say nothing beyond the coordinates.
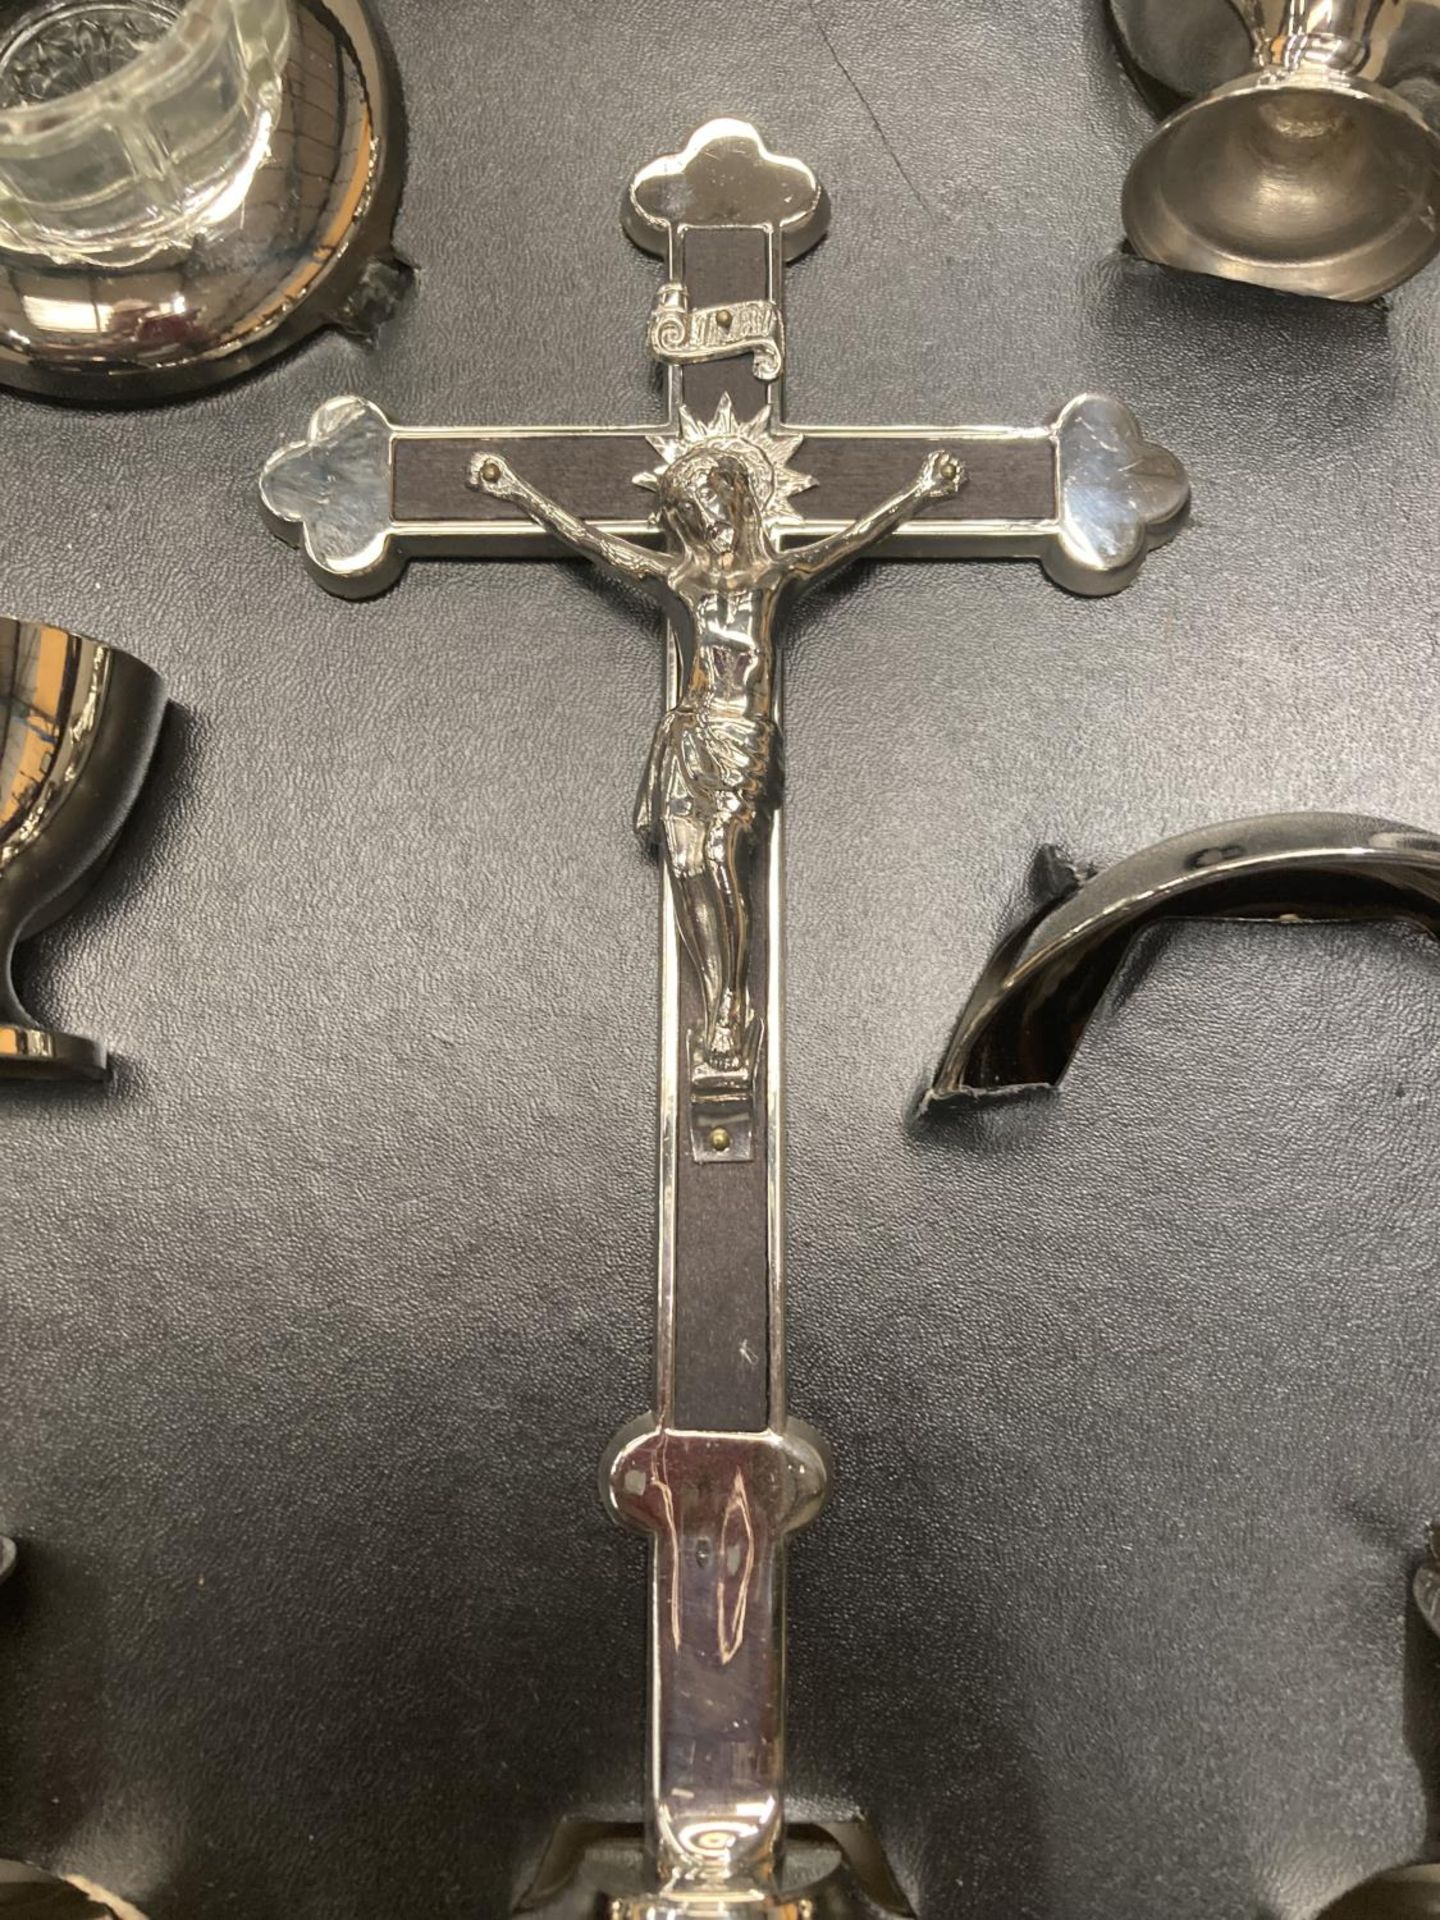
(1088, 494)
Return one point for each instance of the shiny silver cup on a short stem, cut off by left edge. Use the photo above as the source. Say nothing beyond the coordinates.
(78, 729)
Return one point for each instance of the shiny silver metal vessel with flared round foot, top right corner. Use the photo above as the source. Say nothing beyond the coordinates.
(1301, 147)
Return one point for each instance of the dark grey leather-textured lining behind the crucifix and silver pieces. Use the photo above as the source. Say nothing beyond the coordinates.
(314, 1328)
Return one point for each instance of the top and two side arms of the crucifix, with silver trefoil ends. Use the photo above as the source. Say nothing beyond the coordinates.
(1086, 494)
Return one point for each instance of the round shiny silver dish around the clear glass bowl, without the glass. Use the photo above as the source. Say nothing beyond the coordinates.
(304, 243)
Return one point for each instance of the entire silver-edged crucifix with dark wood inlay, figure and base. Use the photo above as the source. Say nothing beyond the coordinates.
(725, 516)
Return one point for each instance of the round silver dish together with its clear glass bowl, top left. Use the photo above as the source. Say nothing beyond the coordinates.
(189, 187)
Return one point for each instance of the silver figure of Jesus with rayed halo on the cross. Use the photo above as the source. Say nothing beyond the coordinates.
(715, 769)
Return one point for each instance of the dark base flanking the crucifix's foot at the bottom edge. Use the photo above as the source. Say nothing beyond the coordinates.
(598, 1871)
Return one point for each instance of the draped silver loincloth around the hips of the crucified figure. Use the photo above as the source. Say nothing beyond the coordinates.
(711, 771)
